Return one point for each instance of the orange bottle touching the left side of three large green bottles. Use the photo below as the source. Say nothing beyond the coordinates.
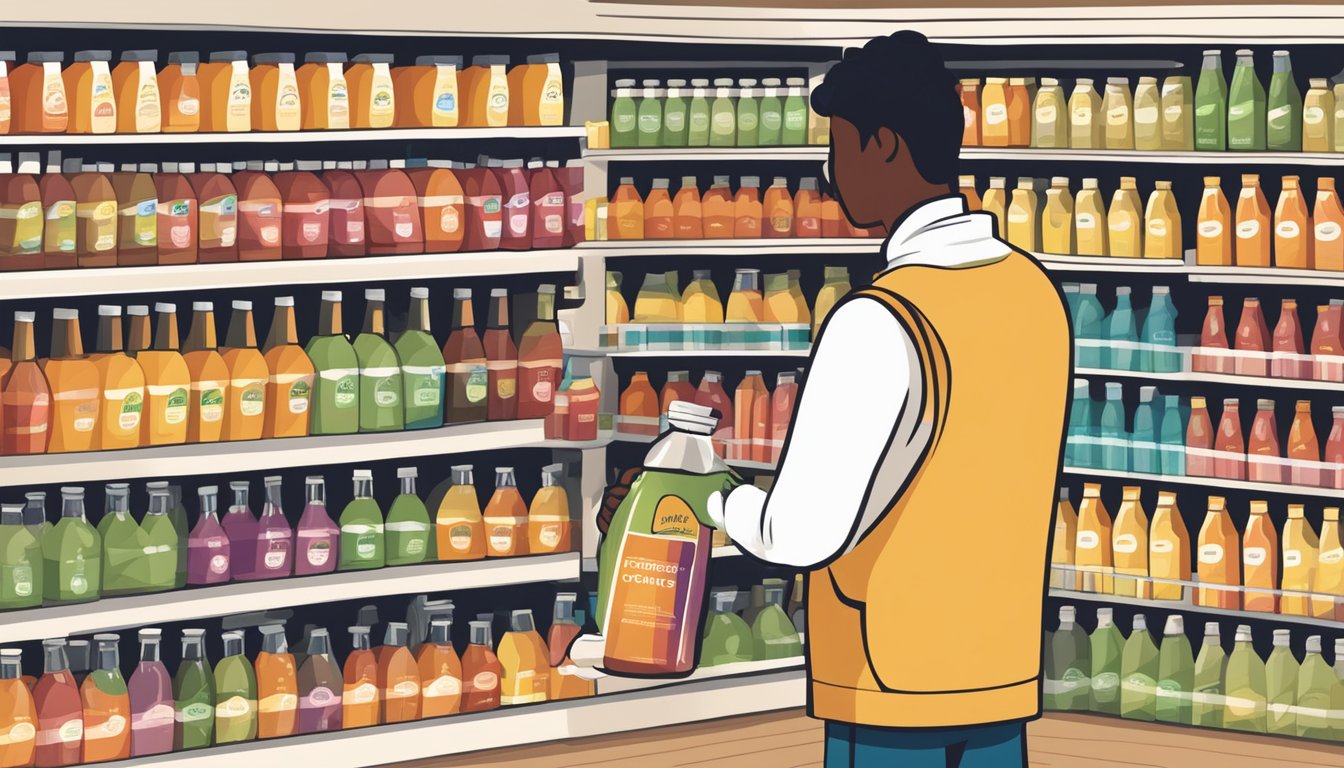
(290, 383)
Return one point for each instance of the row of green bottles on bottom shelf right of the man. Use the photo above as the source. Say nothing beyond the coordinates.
(1108, 673)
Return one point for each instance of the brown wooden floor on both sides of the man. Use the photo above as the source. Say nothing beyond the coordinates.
(791, 740)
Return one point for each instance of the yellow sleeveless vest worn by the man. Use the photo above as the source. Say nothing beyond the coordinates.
(935, 619)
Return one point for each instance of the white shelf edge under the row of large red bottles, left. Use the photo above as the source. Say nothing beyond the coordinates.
(279, 274)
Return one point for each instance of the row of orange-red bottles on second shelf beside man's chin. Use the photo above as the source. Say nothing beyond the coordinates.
(721, 213)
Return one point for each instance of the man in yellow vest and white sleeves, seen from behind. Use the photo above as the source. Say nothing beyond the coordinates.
(920, 473)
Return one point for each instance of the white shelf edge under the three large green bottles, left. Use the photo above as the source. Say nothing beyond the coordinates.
(253, 457)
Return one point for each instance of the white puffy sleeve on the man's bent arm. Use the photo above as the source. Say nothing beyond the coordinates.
(857, 436)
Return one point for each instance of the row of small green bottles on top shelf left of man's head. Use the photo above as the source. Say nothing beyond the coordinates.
(771, 112)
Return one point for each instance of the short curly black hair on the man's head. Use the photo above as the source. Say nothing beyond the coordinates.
(902, 84)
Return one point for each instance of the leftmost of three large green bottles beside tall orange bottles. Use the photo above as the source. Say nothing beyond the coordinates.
(337, 400)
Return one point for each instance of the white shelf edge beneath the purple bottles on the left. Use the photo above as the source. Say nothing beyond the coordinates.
(226, 599)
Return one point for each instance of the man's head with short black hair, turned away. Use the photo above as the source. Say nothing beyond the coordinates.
(896, 127)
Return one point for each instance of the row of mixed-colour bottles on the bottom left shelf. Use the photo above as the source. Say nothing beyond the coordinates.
(69, 718)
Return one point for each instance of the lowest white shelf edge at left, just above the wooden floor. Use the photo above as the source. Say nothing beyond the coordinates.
(575, 719)
